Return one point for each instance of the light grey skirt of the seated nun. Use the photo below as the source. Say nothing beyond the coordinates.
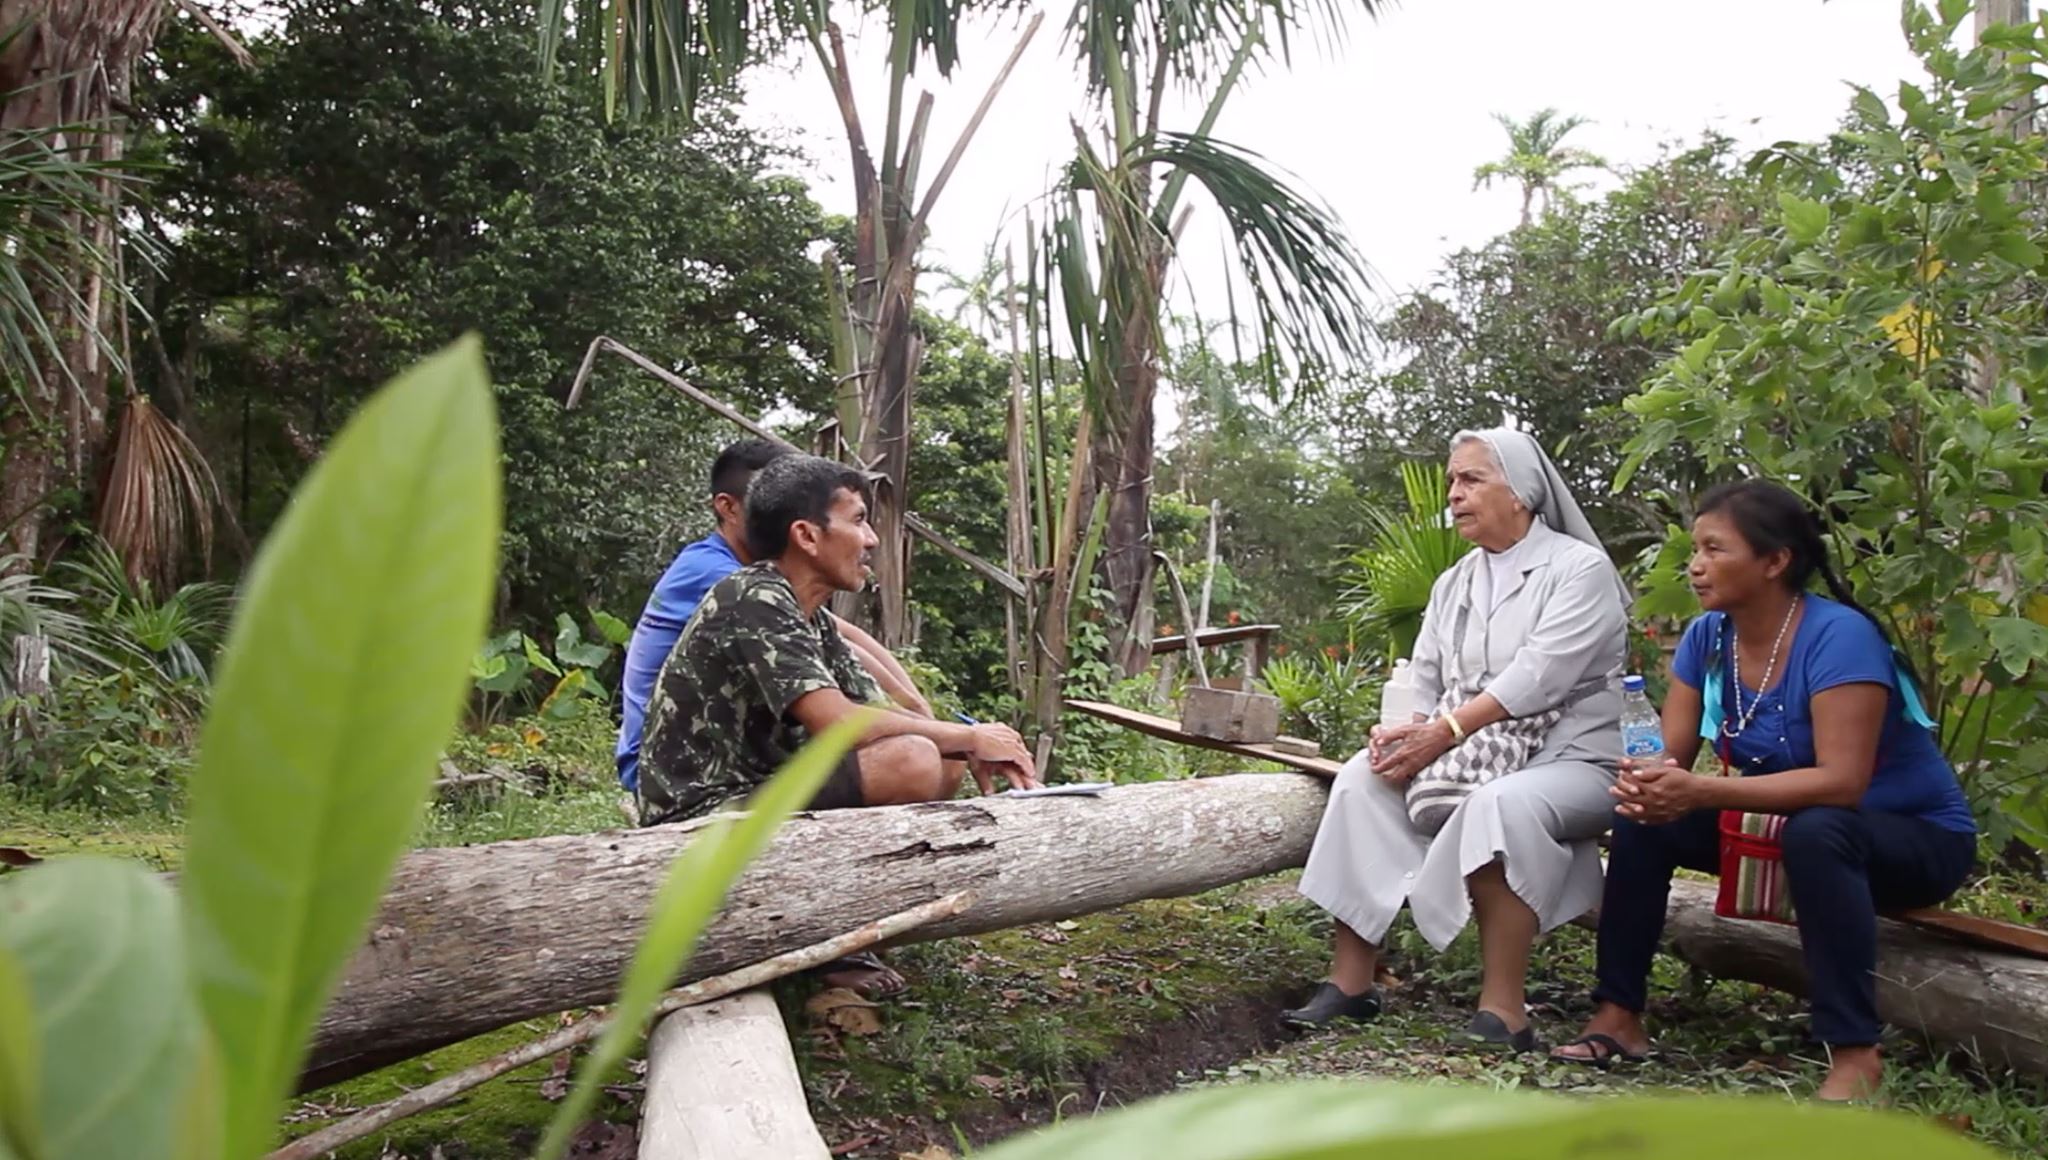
(1541, 823)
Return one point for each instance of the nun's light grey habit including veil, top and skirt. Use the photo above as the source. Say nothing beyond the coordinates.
(1555, 636)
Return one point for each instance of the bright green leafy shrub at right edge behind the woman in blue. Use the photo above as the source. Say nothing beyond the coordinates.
(1879, 347)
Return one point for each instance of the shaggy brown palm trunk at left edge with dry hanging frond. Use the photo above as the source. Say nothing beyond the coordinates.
(67, 69)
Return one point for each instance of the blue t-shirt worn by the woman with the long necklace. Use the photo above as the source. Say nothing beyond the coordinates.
(1832, 647)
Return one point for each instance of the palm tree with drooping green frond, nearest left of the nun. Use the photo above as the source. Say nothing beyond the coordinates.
(1117, 226)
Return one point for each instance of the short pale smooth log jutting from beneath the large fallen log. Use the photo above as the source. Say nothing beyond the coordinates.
(722, 1085)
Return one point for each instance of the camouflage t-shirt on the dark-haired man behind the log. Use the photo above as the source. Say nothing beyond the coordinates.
(718, 720)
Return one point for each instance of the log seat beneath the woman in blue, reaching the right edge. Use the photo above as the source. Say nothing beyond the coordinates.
(1990, 1003)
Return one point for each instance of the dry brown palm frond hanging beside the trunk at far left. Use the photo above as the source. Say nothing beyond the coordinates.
(161, 495)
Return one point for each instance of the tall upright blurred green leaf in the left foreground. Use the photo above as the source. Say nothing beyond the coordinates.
(341, 683)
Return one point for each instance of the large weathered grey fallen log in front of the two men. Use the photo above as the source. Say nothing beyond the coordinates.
(478, 938)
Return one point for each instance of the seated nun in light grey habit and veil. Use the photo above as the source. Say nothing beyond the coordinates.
(1527, 634)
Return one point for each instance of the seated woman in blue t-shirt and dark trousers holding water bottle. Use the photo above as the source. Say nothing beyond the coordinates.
(1809, 704)
